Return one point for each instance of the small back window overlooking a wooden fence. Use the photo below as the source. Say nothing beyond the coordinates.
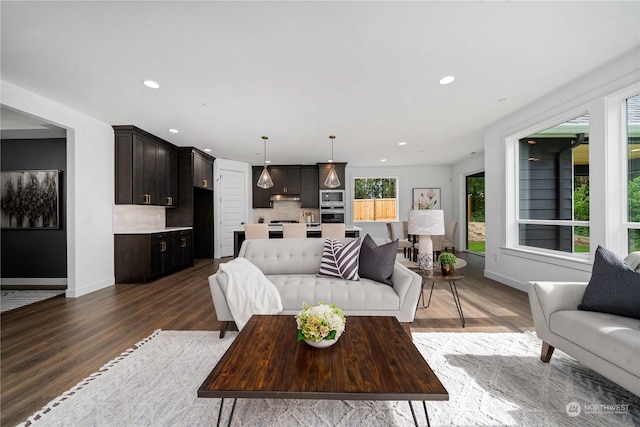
(375, 199)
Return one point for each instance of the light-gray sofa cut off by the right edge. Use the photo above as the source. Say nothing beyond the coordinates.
(606, 343)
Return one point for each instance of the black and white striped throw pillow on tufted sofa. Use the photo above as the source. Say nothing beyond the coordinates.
(340, 259)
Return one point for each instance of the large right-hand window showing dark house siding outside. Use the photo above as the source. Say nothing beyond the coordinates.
(554, 187)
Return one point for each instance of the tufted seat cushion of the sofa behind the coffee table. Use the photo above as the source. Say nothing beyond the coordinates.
(354, 297)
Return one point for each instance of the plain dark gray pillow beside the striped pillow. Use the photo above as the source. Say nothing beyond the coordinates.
(376, 262)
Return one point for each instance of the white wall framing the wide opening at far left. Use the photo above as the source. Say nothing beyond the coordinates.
(90, 188)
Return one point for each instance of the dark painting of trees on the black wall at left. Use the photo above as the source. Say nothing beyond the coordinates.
(30, 199)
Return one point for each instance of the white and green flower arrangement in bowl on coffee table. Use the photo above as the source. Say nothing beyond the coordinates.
(320, 322)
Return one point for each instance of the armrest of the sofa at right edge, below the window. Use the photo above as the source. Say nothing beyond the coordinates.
(546, 298)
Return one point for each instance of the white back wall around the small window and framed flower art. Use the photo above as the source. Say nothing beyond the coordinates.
(409, 177)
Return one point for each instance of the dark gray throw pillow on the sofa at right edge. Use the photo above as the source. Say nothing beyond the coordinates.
(614, 287)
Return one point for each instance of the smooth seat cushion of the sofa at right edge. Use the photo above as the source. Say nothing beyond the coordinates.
(613, 338)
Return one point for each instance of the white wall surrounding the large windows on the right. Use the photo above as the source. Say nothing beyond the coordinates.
(515, 266)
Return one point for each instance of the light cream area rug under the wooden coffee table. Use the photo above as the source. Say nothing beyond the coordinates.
(492, 380)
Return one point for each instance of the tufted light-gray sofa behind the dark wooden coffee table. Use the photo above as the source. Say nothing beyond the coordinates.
(291, 265)
